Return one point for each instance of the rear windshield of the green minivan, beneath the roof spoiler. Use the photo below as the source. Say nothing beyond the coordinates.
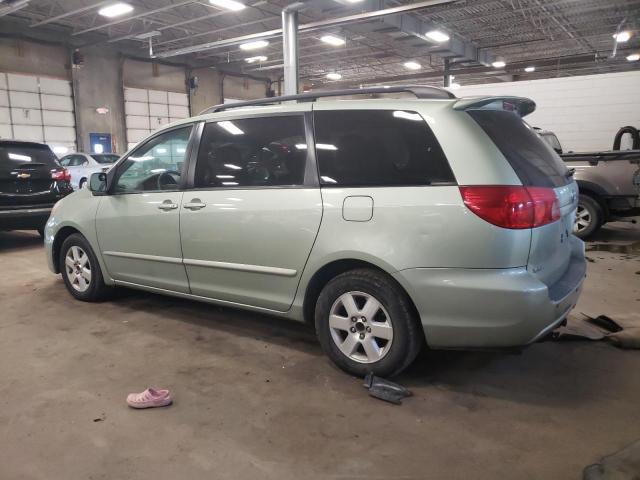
(535, 163)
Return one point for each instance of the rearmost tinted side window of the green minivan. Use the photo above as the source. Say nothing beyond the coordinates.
(378, 148)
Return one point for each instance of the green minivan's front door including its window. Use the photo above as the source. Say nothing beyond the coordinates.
(138, 223)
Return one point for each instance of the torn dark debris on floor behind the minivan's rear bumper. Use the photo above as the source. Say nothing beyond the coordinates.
(602, 327)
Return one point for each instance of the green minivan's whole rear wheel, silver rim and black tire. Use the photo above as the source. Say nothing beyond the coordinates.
(366, 323)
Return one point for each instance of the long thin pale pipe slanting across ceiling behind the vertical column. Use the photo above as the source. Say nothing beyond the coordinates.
(359, 17)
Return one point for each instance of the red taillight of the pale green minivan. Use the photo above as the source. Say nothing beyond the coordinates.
(512, 206)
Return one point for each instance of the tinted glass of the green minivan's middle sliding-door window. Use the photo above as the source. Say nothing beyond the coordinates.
(267, 151)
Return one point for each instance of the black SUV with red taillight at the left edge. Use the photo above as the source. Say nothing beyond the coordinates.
(31, 182)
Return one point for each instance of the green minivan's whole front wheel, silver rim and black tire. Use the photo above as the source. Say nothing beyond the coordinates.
(80, 269)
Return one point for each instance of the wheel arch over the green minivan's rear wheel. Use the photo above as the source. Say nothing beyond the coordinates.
(330, 270)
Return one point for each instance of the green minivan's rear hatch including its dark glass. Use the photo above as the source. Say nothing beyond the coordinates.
(537, 165)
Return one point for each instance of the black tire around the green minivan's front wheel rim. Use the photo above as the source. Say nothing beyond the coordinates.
(96, 290)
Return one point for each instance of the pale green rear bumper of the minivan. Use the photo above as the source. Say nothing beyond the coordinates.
(487, 308)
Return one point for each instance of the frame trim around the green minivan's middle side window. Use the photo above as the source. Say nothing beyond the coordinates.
(310, 172)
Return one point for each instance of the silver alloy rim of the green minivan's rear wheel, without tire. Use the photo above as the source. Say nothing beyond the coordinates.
(360, 327)
